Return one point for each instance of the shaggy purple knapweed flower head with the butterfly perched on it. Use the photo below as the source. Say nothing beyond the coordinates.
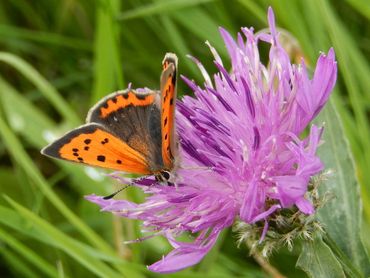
(242, 157)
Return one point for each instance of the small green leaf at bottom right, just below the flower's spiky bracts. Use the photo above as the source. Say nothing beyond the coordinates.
(317, 260)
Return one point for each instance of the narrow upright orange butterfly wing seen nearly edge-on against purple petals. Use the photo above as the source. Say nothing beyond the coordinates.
(168, 102)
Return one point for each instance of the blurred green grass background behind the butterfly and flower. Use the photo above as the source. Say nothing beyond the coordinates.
(59, 57)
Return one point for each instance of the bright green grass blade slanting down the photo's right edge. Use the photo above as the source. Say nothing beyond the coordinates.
(354, 72)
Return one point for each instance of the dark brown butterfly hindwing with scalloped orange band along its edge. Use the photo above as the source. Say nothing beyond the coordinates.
(134, 117)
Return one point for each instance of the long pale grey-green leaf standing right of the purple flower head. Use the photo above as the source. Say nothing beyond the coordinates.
(341, 216)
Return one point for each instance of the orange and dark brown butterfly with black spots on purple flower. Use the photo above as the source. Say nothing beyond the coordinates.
(131, 130)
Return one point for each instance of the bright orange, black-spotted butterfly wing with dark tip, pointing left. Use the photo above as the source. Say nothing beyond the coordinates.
(92, 144)
